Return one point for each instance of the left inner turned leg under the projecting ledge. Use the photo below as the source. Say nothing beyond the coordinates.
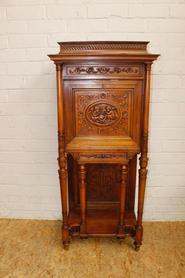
(82, 175)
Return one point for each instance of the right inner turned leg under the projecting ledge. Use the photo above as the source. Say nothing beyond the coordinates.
(121, 227)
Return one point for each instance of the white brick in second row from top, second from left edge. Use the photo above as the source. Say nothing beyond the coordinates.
(46, 26)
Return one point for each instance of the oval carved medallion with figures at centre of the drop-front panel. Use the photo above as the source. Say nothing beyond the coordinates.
(102, 113)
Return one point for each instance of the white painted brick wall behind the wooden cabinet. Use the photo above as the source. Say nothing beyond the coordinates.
(29, 30)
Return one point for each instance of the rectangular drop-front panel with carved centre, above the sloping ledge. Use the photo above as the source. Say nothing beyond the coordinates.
(103, 108)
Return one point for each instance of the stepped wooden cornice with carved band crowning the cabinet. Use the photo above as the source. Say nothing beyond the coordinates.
(122, 50)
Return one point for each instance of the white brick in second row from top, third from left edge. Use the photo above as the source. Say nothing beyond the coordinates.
(98, 25)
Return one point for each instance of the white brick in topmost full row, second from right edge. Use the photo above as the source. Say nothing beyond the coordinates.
(151, 10)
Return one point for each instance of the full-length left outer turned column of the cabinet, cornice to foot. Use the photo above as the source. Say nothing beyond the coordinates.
(62, 159)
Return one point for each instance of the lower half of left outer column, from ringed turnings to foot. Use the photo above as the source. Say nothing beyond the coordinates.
(64, 195)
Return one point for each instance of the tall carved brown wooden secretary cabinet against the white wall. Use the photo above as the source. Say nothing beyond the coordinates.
(103, 91)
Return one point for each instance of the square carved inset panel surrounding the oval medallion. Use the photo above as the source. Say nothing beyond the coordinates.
(102, 112)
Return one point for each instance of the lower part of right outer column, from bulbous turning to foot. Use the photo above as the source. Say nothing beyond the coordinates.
(141, 193)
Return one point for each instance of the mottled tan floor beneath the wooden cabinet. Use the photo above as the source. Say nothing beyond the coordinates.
(33, 249)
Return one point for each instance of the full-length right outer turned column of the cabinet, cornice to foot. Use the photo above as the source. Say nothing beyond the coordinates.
(143, 161)
